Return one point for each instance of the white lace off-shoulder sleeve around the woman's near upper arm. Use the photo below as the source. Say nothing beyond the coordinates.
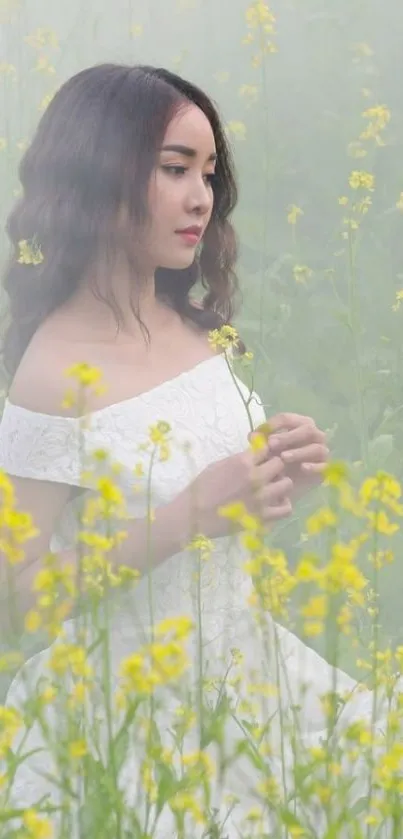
(40, 446)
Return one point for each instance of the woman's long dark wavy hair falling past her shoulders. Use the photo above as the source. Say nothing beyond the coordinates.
(95, 149)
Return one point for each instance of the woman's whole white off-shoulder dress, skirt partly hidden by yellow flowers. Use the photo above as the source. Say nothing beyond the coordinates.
(204, 409)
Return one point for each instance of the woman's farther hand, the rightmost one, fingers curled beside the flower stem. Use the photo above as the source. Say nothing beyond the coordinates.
(301, 446)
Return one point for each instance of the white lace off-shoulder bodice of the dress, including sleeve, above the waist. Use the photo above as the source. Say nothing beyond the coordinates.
(203, 407)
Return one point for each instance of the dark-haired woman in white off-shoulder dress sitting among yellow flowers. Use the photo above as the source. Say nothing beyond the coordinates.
(128, 188)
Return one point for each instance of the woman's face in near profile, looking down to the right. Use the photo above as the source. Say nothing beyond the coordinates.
(180, 192)
